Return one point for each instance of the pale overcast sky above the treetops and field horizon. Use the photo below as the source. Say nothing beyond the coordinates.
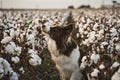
(48, 4)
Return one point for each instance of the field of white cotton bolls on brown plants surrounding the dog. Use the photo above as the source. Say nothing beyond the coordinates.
(23, 48)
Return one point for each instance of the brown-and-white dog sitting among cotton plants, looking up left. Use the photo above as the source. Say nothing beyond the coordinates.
(64, 50)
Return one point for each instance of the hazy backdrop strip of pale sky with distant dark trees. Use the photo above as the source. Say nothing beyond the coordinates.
(58, 4)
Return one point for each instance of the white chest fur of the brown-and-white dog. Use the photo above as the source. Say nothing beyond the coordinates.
(65, 64)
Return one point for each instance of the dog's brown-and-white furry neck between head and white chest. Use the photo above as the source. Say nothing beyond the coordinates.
(57, 47)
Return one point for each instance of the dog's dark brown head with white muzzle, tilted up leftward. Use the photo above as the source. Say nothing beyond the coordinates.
(60, 34)
